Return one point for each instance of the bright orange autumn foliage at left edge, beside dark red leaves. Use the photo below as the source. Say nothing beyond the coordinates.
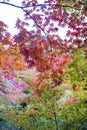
(11, 58)
